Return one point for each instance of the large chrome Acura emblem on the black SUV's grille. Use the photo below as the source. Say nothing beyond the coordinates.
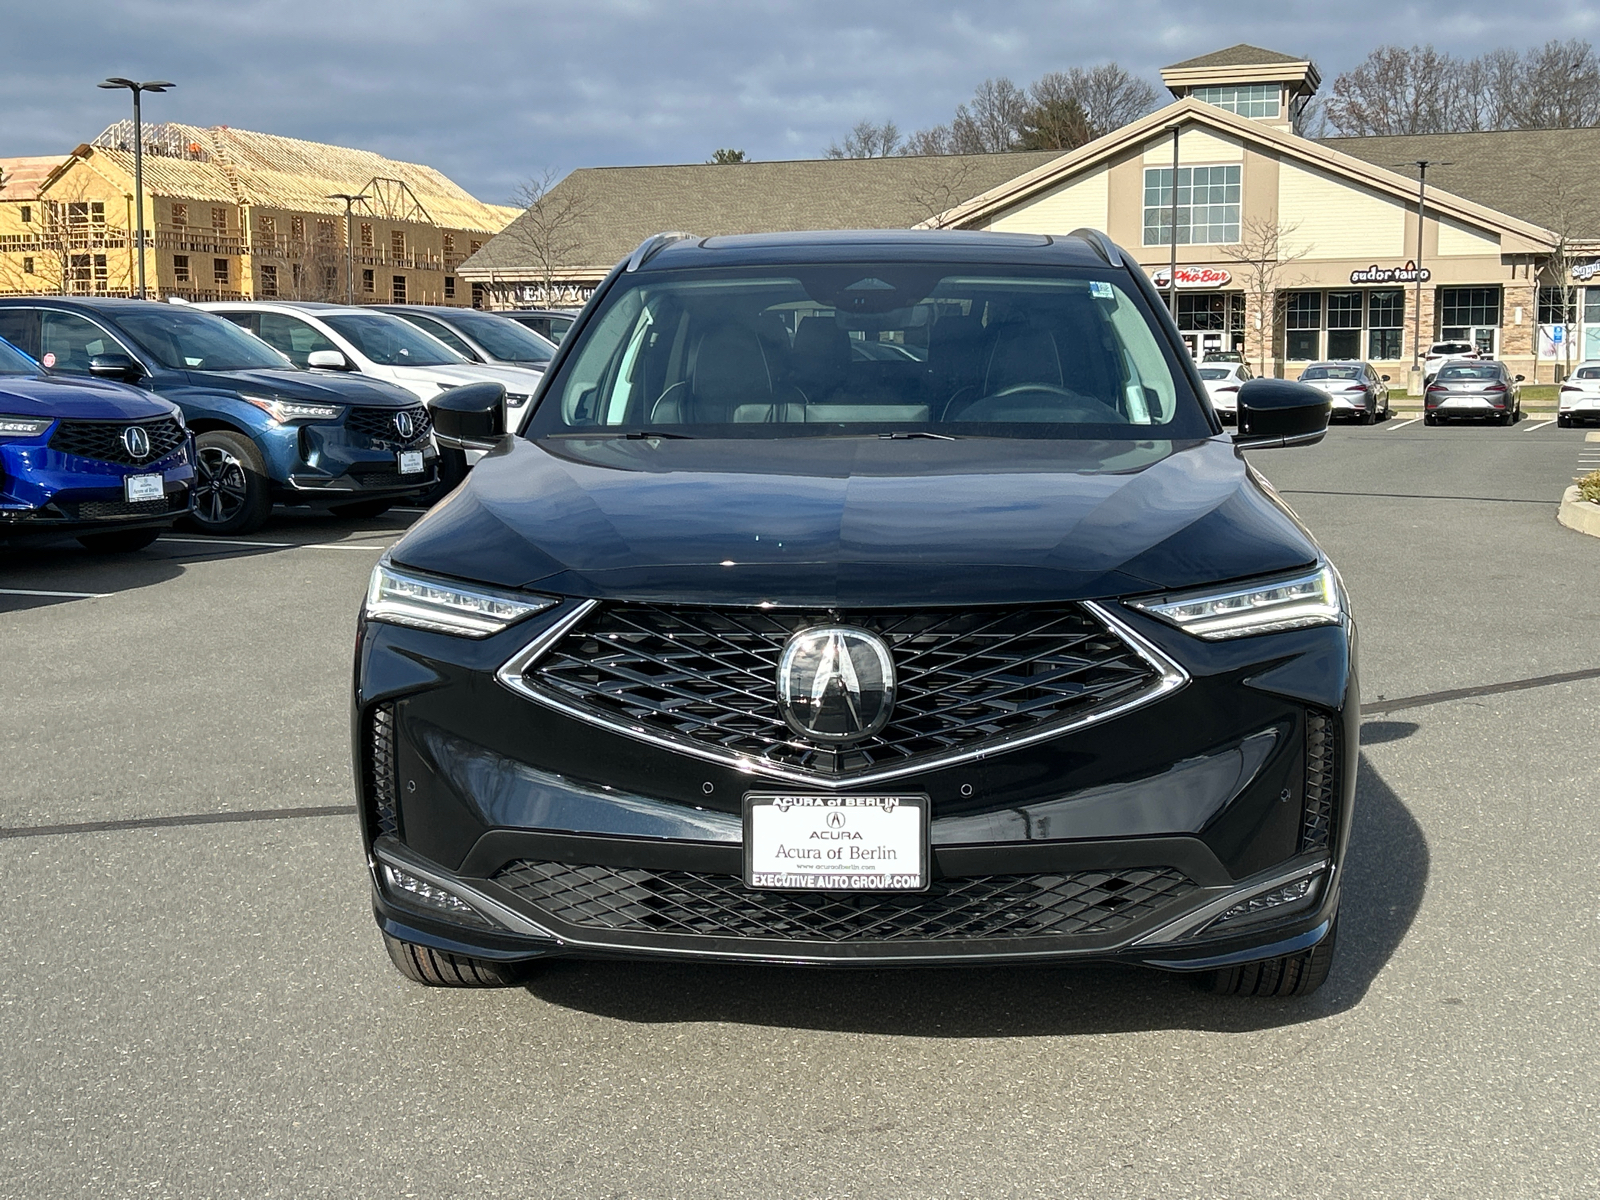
(836, 684)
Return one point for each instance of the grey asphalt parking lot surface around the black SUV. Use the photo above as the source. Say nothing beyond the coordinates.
(194, 1001)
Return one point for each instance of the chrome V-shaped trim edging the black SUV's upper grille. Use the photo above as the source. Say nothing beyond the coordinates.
(1170, 678)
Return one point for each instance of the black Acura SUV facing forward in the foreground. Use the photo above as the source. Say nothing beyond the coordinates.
(863, 599)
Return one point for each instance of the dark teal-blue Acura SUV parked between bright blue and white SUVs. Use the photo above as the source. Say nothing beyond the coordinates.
(265, 430)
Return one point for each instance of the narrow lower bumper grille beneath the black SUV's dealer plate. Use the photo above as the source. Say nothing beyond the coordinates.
(719, 906)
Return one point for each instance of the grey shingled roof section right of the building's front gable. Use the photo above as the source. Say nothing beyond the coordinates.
(1545, 177)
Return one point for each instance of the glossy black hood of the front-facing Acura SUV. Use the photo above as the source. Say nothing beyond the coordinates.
(858, 522)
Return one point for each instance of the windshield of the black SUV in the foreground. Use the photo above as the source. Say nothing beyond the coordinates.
(826, 351)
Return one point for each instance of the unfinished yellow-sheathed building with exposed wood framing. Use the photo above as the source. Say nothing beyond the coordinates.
(238, 215)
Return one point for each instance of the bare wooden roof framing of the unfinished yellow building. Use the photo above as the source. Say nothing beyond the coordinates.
(262, 169)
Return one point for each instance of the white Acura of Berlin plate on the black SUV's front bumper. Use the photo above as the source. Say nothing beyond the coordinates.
(836, 842)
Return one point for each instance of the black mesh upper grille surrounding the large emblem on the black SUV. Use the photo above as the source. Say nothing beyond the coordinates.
(966, 679)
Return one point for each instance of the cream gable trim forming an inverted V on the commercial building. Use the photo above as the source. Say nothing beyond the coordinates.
(1287, 146)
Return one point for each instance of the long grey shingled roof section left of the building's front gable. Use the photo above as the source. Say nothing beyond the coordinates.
(618, 207)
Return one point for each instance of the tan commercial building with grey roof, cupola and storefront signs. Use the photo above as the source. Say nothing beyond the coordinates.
(1289, 249)
